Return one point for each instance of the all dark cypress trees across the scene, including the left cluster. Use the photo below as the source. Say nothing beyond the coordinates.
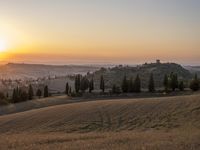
(82, 84)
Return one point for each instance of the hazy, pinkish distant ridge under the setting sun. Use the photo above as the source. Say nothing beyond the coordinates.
(22, 71)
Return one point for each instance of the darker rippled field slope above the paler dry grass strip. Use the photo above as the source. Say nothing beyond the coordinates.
(110, 115)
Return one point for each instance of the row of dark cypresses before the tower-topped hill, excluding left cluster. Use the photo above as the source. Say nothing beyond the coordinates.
(170, 83)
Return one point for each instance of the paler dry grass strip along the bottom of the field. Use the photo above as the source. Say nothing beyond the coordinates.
(125, 140)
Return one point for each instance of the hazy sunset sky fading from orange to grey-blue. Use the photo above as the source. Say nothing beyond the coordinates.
(105, 31)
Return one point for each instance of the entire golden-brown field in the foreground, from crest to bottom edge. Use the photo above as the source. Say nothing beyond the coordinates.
(154, 123)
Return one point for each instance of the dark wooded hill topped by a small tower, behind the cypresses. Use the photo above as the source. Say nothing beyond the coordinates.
(115, 75)
